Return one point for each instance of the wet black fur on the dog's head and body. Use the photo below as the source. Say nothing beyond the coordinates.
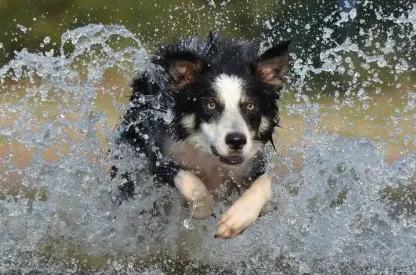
(144, 129)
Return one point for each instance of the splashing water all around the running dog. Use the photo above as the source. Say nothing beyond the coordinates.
(342, 206)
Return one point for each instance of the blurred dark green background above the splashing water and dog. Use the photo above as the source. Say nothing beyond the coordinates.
(26, 24)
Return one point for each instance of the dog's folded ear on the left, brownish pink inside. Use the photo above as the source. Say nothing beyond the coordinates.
(183, 68)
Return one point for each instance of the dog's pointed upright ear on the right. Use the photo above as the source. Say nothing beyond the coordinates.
(271, 66)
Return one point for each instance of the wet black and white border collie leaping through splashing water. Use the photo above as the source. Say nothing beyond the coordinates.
(202, 116)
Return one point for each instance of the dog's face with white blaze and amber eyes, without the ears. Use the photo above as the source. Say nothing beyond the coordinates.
(232, 116)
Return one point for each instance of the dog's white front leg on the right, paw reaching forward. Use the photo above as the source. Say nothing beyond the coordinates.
(246, 209)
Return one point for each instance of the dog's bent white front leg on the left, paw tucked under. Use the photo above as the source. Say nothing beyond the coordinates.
(201, 204)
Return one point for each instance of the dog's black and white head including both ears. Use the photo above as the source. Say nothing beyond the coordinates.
(225, 94)
